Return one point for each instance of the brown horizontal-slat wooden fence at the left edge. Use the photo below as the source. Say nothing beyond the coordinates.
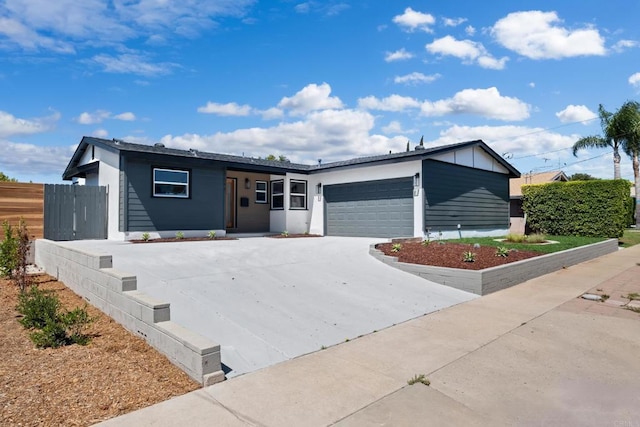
(22, 200)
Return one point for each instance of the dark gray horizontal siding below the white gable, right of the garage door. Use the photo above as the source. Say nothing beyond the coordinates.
(474, 198)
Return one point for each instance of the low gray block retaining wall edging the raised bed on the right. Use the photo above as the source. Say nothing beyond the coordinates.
(493, 279)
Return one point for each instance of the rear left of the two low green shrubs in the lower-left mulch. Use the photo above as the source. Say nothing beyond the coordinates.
(38, 308)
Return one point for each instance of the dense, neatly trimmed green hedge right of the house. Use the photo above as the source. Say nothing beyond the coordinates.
(578, 208)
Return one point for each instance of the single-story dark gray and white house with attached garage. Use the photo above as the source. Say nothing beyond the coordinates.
(454, 188)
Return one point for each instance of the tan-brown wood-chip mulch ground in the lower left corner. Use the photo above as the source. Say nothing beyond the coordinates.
(115, 373)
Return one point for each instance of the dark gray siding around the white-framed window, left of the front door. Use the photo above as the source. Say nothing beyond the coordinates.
(203, 210)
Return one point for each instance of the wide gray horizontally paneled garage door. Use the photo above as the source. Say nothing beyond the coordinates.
(381, 208)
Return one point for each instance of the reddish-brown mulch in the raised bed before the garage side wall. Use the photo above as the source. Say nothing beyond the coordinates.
(450, 255)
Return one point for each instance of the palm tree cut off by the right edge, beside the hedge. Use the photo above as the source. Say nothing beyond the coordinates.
(626, 123)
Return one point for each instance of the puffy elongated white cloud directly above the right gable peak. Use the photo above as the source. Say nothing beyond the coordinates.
(482, 102)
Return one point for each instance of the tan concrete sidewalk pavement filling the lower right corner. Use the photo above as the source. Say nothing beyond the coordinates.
(533, 354)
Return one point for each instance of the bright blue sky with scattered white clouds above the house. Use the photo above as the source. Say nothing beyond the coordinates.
(312, 80)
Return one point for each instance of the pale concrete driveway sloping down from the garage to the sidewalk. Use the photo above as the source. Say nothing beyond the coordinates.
(267, 300)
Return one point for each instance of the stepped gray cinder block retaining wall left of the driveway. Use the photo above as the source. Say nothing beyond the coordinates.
(113, 292)
